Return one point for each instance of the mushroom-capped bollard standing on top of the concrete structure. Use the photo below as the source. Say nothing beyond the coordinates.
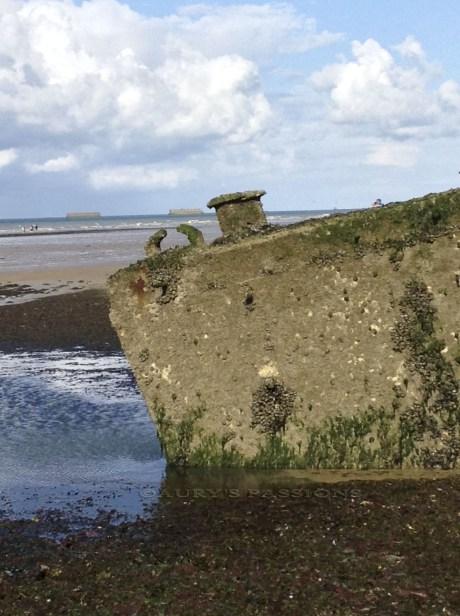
(239, 212)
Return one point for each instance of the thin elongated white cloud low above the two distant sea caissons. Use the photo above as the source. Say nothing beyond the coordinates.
(139, 177)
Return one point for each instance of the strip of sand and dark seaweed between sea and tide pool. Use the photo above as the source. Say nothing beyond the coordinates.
(51, 308)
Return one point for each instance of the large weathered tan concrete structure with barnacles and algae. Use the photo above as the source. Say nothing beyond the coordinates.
(334, 343)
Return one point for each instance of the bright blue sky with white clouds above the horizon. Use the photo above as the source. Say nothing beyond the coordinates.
(140, 106)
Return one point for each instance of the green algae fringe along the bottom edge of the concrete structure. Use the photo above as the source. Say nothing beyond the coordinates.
(368, 440)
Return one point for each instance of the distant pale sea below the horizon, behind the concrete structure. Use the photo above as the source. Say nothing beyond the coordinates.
(117, 240)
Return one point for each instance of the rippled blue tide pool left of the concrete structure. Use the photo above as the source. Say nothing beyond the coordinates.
(76, 438)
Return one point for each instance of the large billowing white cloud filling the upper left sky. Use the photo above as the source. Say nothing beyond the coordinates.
(102, 69)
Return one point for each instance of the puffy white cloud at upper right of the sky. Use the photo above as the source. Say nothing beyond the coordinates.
(374, 90)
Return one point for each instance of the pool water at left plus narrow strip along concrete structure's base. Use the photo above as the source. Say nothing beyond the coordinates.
(77, 445)
